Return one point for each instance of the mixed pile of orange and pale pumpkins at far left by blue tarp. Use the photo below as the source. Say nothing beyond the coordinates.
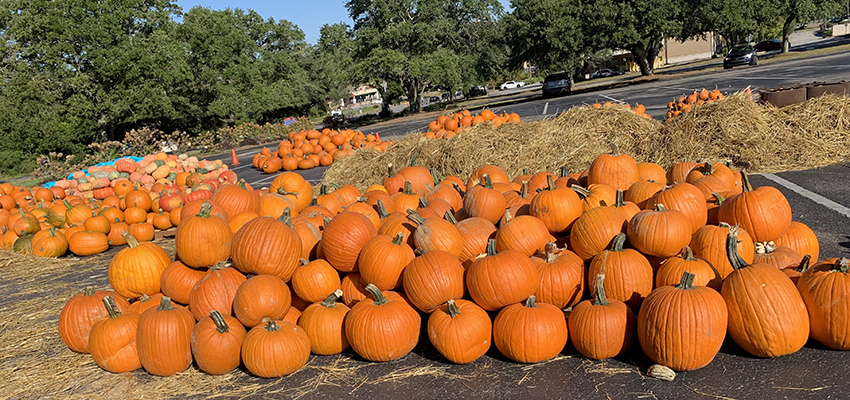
(52, 222)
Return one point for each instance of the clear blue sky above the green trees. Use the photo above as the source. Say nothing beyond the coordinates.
(309, 15)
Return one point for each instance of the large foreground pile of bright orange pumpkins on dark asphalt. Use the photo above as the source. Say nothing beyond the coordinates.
(674, 259)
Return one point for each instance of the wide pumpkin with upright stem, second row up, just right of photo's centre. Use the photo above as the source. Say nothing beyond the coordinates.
(500, 279)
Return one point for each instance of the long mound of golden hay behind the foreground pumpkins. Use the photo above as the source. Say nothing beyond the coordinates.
(759, 138)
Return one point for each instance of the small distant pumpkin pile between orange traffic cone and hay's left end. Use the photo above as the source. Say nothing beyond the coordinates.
(309, 149)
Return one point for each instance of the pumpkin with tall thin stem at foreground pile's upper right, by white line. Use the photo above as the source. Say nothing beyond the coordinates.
(764, 212)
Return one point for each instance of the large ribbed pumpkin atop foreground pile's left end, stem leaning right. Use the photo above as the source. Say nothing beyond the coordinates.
(267, 246)
